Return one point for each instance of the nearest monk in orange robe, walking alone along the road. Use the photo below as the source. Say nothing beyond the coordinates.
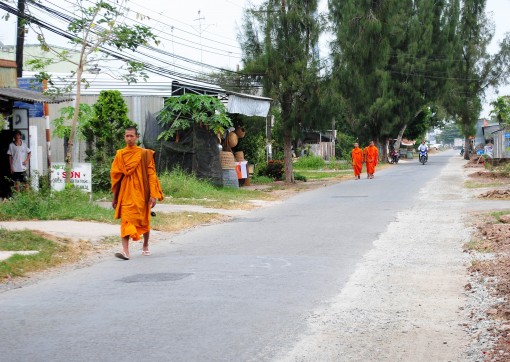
(136, 188)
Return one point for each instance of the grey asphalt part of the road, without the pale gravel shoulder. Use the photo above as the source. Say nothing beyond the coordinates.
(240, 291)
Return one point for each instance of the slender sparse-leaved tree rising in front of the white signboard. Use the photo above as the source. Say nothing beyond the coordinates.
(99, 26)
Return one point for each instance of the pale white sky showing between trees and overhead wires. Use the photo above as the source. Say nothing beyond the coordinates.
(206, 31)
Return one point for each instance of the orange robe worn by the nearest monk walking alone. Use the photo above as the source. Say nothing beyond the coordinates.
(133, 206)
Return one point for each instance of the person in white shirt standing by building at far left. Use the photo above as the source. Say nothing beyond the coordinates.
(19, 159)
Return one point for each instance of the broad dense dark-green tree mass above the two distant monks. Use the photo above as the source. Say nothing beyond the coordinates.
(383, 54)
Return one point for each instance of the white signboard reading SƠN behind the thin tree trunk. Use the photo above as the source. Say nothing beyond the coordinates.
(81, 176)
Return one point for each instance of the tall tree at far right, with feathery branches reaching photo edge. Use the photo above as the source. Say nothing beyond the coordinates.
(474, 69)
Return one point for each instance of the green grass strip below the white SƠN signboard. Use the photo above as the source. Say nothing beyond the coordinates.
(71, 204)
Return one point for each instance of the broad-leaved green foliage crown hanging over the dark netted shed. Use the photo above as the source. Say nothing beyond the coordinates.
(180, 113)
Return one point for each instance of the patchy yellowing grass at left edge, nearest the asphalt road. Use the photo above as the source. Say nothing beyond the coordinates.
(51, 252)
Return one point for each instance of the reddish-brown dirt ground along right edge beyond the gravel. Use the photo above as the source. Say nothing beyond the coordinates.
(492, 238)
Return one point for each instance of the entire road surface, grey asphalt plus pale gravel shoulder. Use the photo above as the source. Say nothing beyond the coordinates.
(368, 270)
